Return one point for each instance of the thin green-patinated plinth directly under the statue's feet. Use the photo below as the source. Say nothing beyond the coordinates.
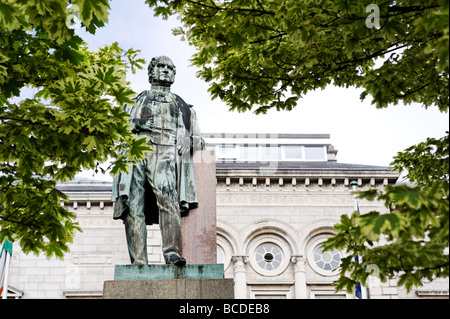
(161, 271)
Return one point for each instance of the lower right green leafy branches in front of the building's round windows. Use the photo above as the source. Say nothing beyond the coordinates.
(414, 235)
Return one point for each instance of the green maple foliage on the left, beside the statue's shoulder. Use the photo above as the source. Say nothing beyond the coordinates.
(71, 120)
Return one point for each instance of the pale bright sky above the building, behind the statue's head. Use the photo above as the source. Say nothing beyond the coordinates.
(361, 133)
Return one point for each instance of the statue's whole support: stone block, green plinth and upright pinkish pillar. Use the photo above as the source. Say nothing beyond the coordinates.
(202, 277)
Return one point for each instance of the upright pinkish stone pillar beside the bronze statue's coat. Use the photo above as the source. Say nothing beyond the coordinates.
(198, 243)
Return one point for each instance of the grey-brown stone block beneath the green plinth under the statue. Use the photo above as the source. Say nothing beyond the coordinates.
(169, 289)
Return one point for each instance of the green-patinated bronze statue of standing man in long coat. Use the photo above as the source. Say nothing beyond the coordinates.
(162, 186)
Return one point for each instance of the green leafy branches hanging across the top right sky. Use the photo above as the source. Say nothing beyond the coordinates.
(267, 54)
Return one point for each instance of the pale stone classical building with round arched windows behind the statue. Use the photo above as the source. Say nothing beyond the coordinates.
(278, 197)
